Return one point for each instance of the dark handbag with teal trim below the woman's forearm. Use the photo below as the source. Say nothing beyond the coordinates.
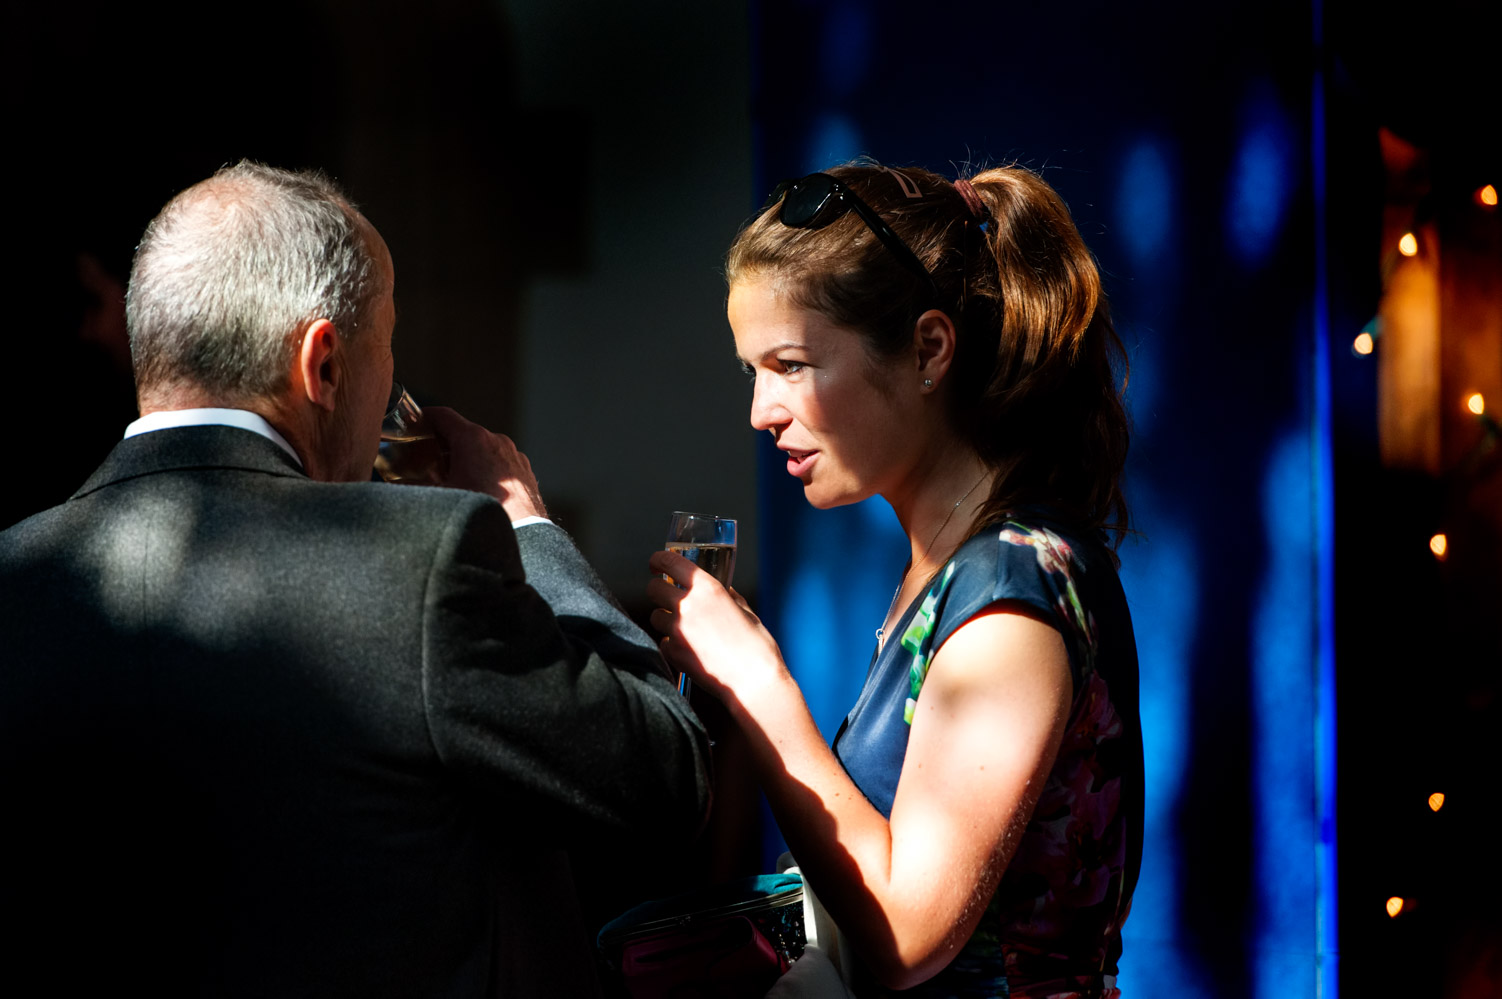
(731, 941)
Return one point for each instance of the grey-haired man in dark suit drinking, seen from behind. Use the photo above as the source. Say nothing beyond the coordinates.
(268, 728)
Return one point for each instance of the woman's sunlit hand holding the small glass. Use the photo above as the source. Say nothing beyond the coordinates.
(711, 633)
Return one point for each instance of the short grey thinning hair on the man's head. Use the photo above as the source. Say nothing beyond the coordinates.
(232, 273)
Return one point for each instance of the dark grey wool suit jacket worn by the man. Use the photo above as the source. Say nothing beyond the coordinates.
(262, 735)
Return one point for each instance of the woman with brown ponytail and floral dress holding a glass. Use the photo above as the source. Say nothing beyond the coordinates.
(976, 830)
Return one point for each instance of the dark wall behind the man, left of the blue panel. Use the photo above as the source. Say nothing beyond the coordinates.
(556, 183)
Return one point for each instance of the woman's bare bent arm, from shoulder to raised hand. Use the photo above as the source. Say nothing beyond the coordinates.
(905, 893)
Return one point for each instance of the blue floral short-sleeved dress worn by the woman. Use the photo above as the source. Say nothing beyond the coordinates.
(1054, 926)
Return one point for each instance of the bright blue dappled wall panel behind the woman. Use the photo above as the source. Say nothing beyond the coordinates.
(1187, 168)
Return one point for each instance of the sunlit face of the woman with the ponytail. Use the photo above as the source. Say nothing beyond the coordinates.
(848, 421)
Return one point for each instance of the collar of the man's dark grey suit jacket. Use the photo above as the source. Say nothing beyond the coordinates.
(192, 448)
